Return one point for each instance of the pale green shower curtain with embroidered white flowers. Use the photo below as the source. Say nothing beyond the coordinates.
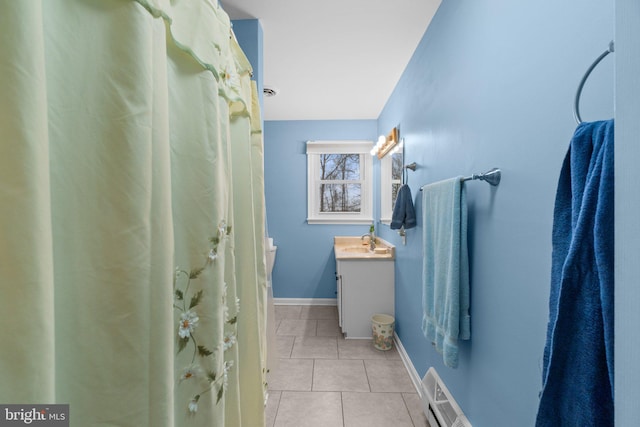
(132, 271)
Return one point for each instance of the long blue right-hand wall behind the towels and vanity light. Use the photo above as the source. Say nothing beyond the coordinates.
(492, 85)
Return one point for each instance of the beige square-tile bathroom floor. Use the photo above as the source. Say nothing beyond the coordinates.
(324, 380)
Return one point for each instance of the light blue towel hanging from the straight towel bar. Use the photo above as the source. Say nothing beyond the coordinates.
(445, 268)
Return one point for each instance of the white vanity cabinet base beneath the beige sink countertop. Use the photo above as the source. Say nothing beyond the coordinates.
(365, 287)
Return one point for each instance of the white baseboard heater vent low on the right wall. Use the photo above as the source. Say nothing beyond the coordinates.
(439, 407)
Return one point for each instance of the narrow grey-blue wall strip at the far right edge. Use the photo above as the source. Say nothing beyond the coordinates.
(627, 234)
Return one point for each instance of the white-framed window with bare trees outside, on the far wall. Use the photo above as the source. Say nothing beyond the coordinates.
(339, 179)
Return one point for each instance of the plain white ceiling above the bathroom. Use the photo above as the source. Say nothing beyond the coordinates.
(334, 59)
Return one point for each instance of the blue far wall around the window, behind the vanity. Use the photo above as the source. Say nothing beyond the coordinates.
(305, 264)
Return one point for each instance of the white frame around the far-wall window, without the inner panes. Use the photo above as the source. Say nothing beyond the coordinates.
(363, 148)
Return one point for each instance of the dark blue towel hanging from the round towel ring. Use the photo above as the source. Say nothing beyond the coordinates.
(578, 356)
